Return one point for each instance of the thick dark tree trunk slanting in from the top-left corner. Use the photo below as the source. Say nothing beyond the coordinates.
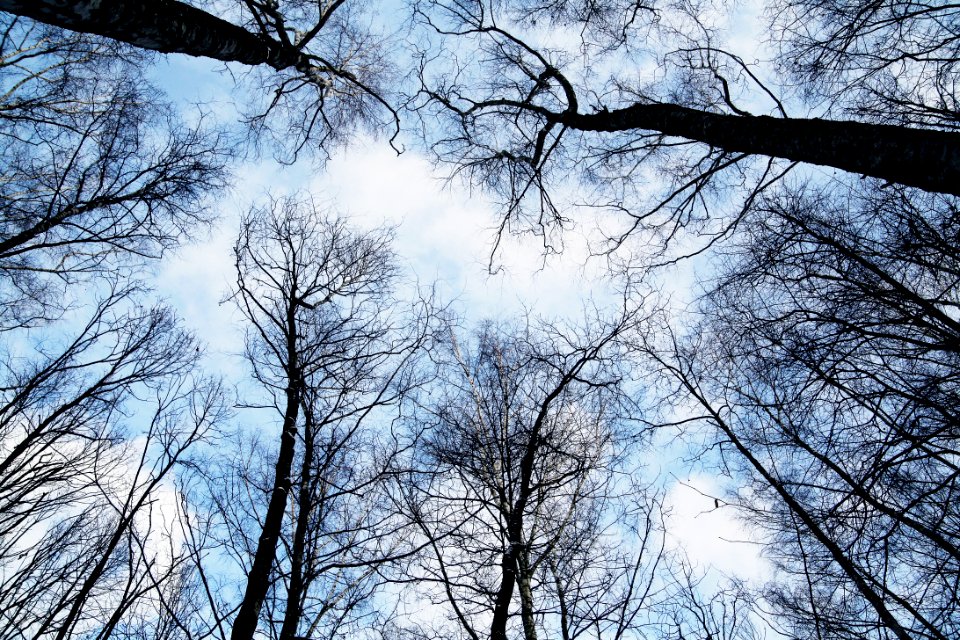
(159, 25)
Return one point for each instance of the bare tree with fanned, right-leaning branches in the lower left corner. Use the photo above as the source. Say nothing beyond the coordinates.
(91, 434)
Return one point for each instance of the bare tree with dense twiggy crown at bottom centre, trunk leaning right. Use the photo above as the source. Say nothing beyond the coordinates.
(516, 476)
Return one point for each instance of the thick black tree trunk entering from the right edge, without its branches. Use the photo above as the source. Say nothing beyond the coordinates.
(924, 158)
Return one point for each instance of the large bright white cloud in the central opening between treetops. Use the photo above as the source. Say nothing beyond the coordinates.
(446, 232)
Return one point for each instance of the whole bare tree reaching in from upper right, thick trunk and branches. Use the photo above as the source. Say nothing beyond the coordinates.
(640, 101)
